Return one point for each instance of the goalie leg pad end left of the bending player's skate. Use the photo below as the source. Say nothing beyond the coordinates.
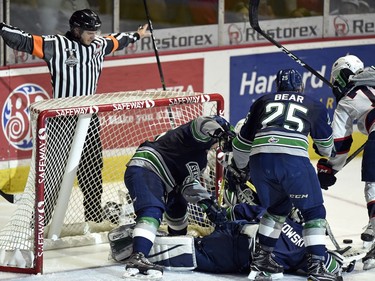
(121, 241)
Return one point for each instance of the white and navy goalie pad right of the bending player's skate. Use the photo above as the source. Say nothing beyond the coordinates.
(174, 252)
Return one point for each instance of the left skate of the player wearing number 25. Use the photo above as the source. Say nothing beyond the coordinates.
(263, 266)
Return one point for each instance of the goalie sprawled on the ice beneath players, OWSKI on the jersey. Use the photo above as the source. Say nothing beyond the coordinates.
(236, 239)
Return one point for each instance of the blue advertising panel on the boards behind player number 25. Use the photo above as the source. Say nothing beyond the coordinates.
(254, 75)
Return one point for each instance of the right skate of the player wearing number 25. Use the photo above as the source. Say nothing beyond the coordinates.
(318, 272)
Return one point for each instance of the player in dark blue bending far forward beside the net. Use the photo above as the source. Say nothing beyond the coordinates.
(162, 177)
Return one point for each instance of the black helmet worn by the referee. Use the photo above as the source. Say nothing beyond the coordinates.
(85, 19)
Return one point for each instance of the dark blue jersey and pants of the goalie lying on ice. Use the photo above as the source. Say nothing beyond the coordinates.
(233, 255)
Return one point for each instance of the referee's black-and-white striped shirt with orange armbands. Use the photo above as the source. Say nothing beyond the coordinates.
(75, 68)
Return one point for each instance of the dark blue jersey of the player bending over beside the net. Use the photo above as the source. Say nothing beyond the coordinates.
(178, 156)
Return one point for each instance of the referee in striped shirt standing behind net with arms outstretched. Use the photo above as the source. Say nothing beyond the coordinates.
(75, 61)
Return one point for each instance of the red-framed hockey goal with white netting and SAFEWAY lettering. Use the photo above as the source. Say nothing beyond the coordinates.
(53, 213)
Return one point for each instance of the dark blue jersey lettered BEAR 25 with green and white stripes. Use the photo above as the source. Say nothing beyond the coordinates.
(281, 123)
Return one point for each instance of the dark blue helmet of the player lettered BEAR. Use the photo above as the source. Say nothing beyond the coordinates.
(289, 80)
